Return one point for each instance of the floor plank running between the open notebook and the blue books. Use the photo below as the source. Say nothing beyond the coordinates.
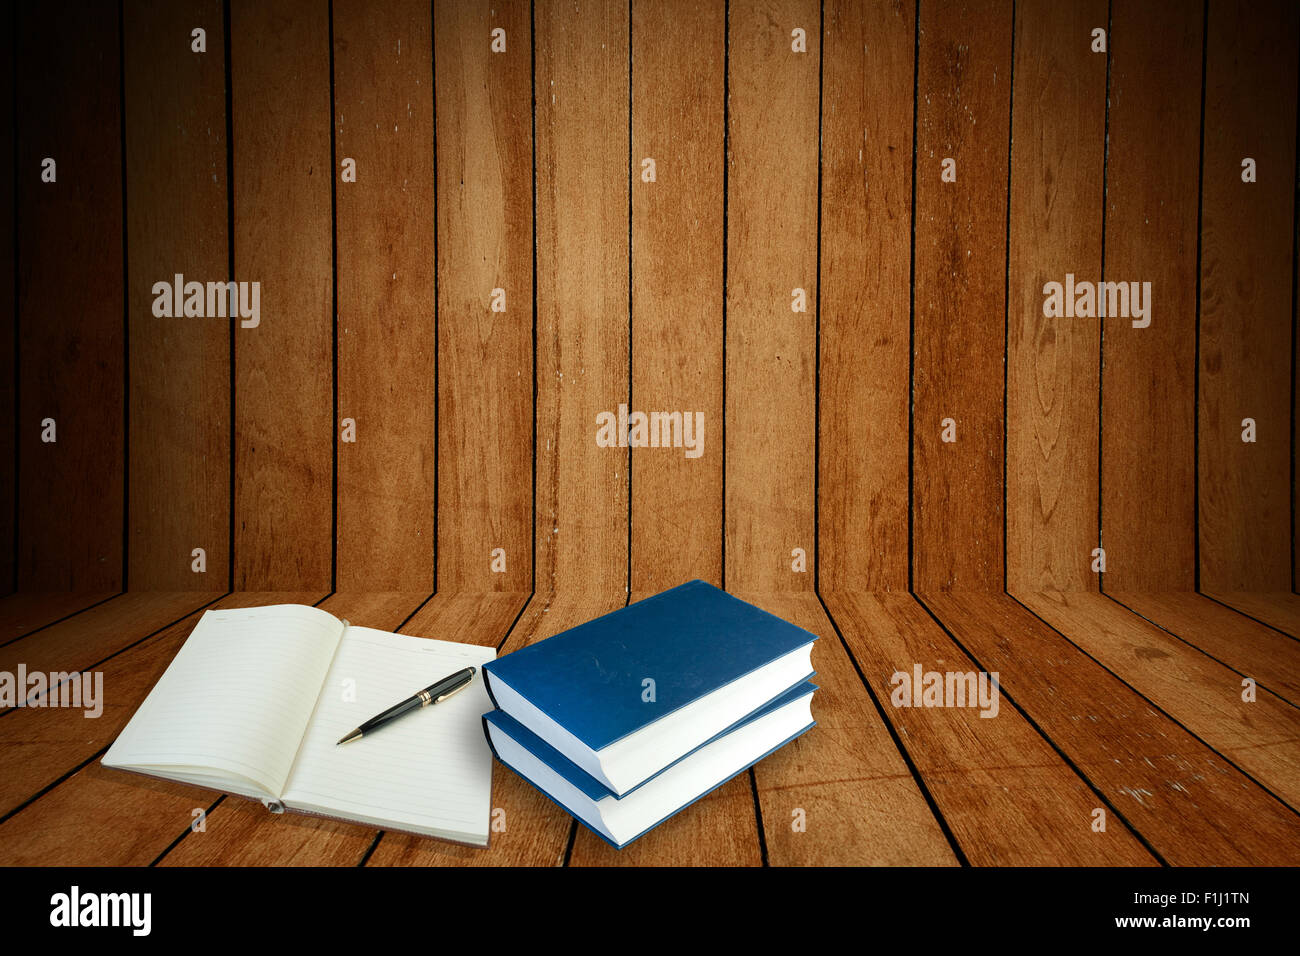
(536, 830)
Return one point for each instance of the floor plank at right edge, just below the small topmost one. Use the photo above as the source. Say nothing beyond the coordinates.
(1245, 646)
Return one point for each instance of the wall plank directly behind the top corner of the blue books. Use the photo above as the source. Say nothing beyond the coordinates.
(678, 73)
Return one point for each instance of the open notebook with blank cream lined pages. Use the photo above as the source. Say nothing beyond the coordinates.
(258, 698)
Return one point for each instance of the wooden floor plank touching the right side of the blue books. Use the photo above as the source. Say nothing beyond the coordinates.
(859, 801)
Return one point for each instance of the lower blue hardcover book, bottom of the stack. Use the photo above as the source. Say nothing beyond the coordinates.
(619, 821)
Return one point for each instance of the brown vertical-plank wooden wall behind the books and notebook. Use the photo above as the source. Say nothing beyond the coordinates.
(1121, 438)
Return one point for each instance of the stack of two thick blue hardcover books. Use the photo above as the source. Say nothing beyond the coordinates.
(632, 717)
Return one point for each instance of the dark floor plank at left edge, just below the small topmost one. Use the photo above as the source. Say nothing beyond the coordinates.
(81, 642)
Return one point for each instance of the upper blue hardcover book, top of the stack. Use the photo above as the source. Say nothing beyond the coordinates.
(629, 694)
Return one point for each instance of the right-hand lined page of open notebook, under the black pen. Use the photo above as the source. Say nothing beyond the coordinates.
(430, 771)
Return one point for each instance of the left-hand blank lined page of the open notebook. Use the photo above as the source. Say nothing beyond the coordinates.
(237, 698)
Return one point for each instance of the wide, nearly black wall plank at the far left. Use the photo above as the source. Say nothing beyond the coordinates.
(71, 313)
